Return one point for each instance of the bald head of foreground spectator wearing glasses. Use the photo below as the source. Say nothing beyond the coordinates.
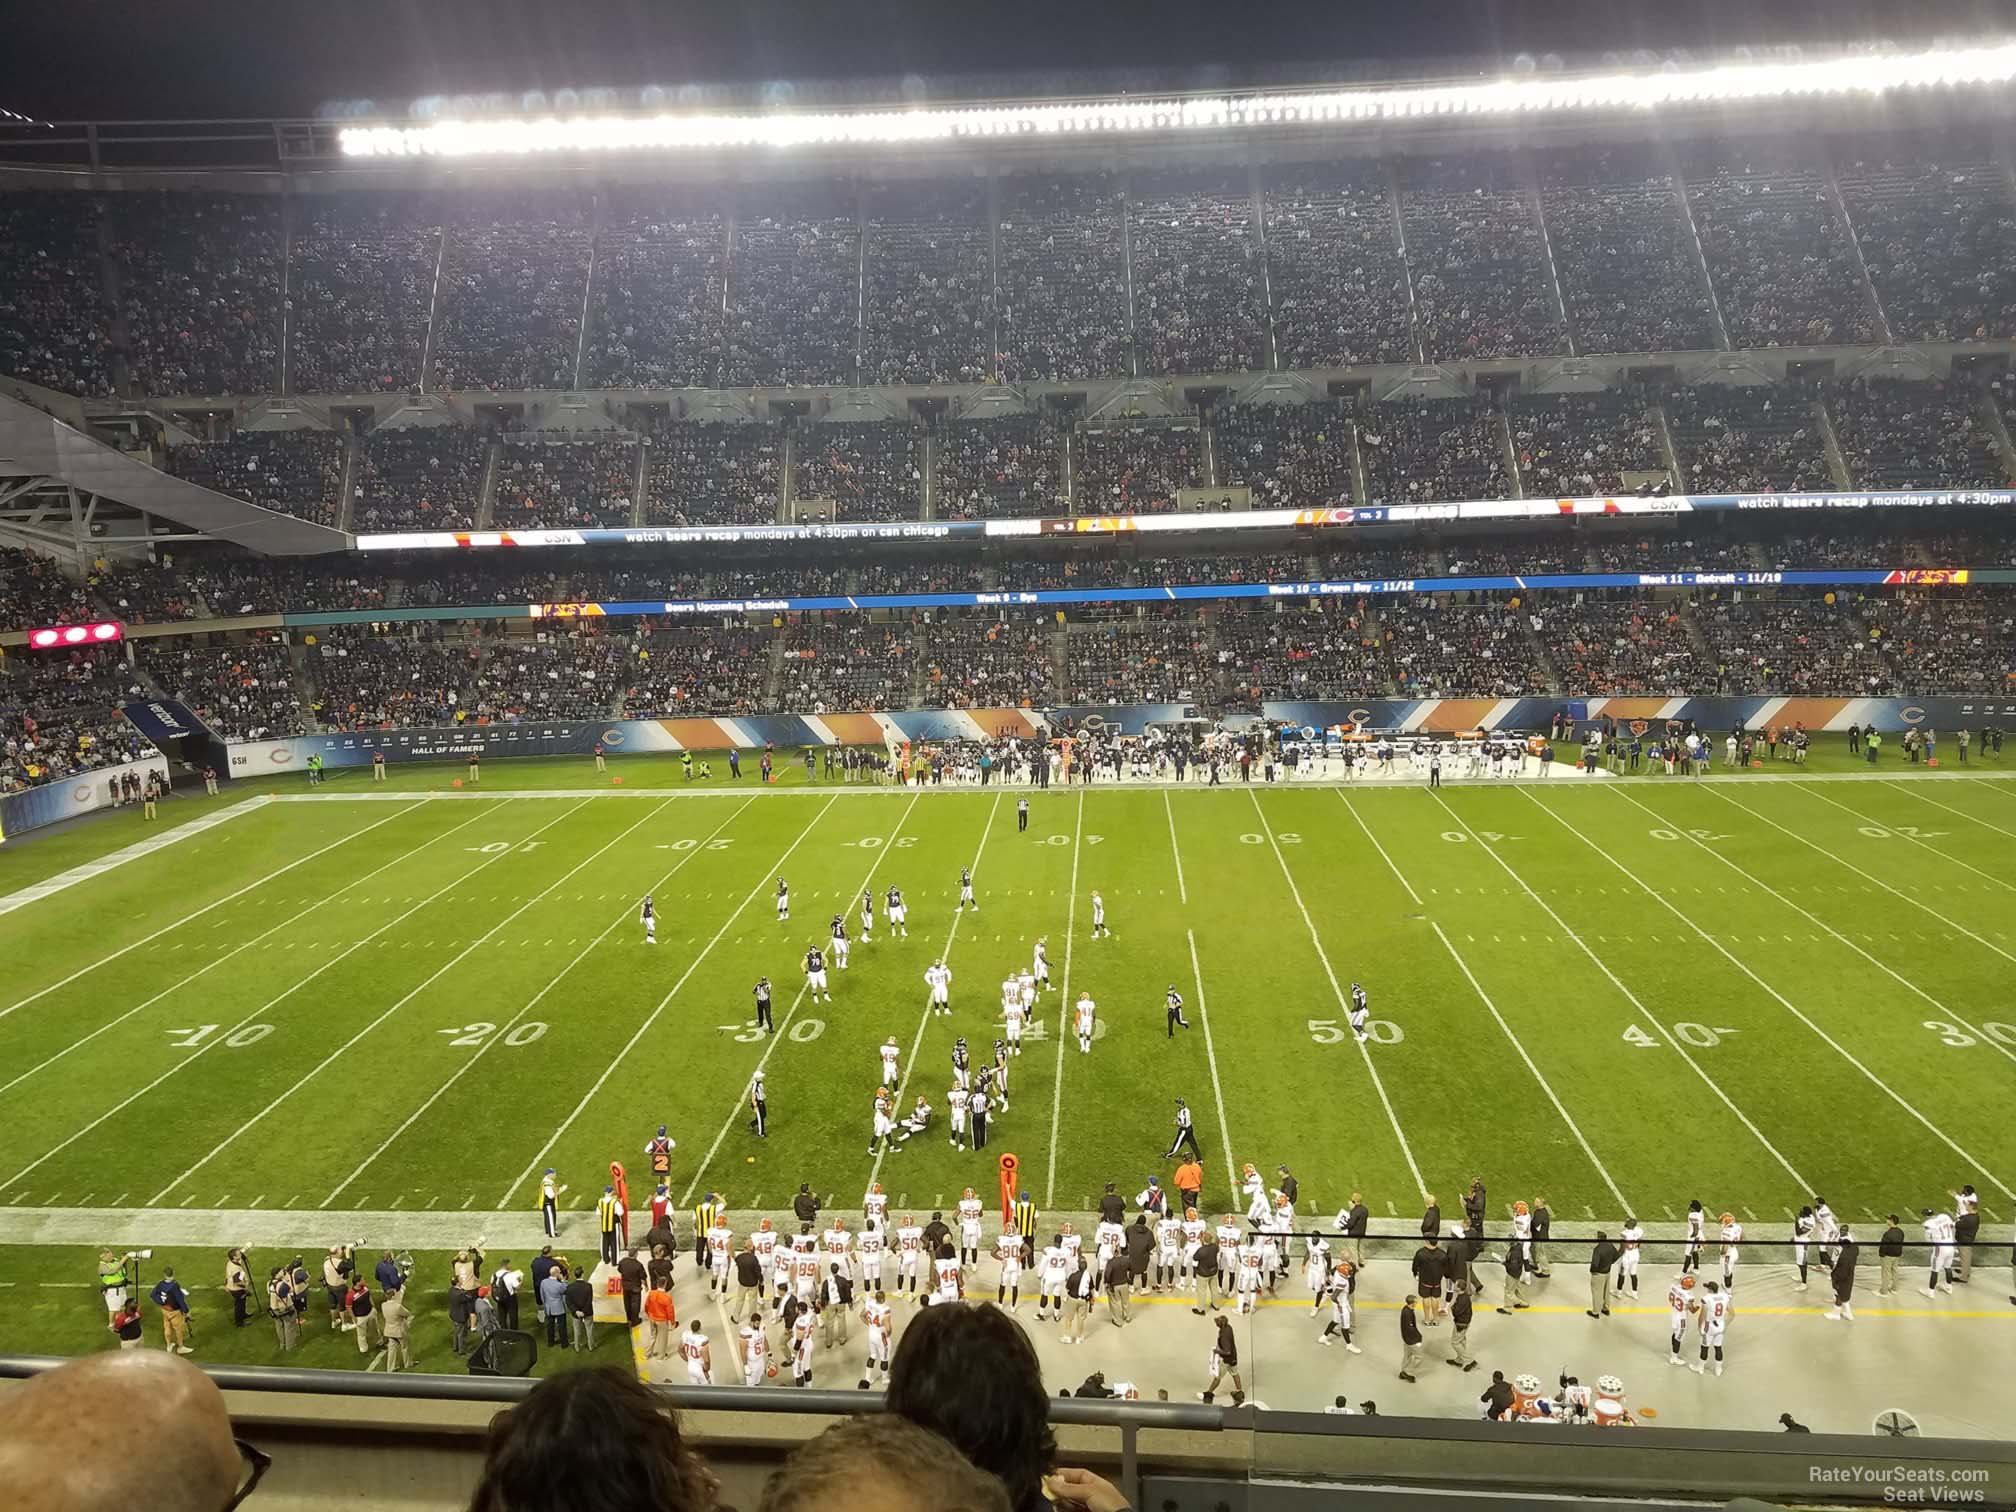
(120, 1432)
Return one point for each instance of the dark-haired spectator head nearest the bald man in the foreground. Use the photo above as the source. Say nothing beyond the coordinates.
(592, 1442)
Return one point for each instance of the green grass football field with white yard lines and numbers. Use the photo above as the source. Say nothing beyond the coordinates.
(1614, 995)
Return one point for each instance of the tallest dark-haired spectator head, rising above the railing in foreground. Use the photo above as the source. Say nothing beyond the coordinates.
(973, 1376)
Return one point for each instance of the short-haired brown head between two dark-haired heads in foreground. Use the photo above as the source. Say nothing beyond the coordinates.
(882, 1465)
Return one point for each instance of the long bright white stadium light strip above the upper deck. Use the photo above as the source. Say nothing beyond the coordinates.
(1860, 76)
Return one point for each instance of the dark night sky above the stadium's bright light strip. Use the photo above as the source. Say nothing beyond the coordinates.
(132, 59)
